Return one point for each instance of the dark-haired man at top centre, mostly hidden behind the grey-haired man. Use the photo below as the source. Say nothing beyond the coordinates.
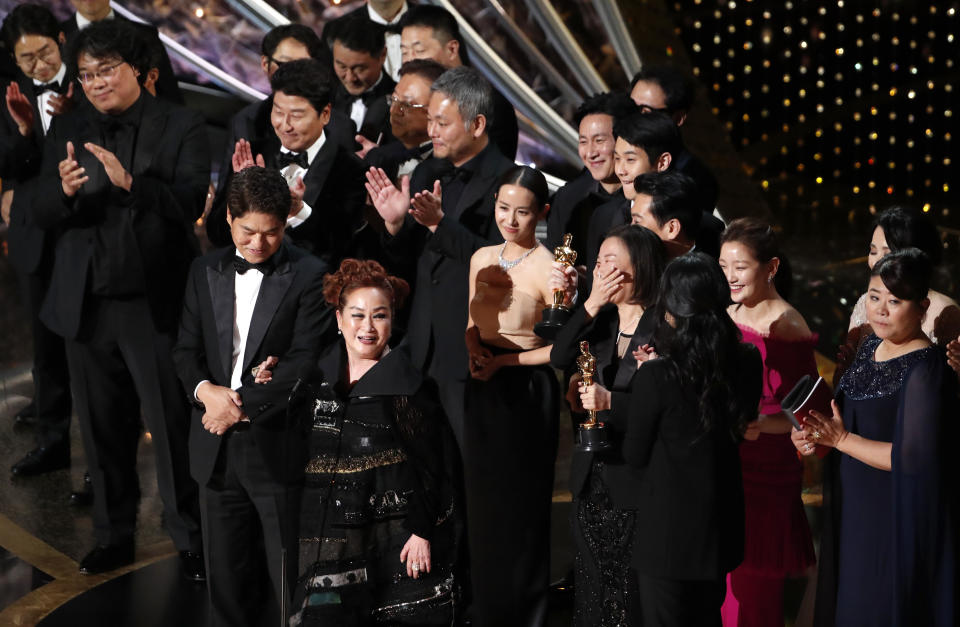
(430, 32)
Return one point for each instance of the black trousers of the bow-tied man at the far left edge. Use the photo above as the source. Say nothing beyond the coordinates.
(51, 378)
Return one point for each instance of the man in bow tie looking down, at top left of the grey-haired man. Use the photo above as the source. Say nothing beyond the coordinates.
(358, 56)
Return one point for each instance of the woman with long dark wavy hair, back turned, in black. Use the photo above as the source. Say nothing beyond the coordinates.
(685, 414)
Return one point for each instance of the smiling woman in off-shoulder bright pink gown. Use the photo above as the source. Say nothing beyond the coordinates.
(778, 542)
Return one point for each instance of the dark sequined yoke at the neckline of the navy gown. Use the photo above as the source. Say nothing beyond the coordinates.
(868, 379)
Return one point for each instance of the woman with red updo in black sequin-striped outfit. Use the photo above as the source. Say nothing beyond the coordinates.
(378, 520)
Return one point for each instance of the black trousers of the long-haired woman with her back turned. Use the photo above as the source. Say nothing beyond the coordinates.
(676, 603)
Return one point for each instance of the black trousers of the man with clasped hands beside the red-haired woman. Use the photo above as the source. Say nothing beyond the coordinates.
(248, 519)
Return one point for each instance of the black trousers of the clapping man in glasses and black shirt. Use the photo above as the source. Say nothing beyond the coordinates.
(120, 367)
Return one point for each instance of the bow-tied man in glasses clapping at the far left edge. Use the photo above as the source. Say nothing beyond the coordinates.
(32, 35)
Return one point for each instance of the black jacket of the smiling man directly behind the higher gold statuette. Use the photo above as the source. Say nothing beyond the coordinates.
(570, 212)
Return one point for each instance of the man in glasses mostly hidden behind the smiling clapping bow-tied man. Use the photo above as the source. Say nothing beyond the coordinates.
(280, 45)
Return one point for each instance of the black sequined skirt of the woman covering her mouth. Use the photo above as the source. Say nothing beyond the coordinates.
(603, 575)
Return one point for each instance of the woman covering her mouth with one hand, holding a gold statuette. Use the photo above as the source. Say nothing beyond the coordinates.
(617, 319)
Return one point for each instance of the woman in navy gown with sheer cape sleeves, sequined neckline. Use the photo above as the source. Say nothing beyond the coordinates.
(889, 550)
